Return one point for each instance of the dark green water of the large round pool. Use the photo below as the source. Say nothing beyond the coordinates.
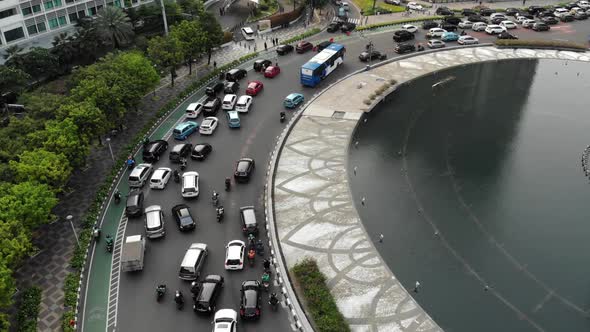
(492, 162)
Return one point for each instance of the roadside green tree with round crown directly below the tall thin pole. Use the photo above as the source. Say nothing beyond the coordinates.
(166, 52)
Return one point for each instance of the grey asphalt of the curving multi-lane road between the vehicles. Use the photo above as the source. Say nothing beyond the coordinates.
(137, 307)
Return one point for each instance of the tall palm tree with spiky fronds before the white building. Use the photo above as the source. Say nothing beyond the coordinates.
(114, 26)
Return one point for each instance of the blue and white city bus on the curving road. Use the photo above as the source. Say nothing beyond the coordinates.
(322, 65)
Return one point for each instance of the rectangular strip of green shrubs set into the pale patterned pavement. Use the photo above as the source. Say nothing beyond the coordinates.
(320, 303)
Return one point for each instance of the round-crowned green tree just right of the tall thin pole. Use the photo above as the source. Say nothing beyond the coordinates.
(191, 39)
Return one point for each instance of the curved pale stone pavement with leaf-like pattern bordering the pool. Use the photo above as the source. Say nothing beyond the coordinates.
(314, 212)
